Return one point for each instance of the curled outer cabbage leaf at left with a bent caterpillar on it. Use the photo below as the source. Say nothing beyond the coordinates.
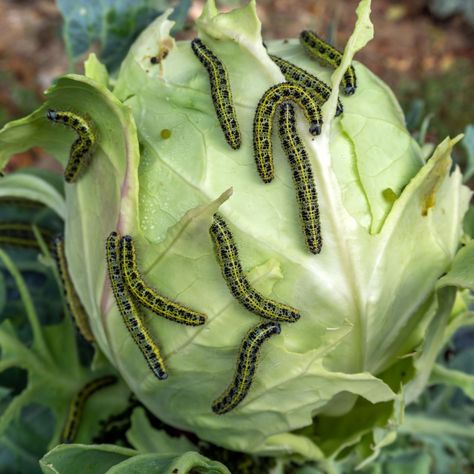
(107, 192)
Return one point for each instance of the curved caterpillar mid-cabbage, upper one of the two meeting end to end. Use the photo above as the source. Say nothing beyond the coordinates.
(239, 286)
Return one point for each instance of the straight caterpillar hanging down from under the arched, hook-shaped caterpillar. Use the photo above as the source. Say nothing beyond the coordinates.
(303, 178)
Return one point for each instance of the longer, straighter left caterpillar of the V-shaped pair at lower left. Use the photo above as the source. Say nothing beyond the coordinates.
(131, 314)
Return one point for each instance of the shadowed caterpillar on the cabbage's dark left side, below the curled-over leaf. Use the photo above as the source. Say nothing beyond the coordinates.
(72, 298)
